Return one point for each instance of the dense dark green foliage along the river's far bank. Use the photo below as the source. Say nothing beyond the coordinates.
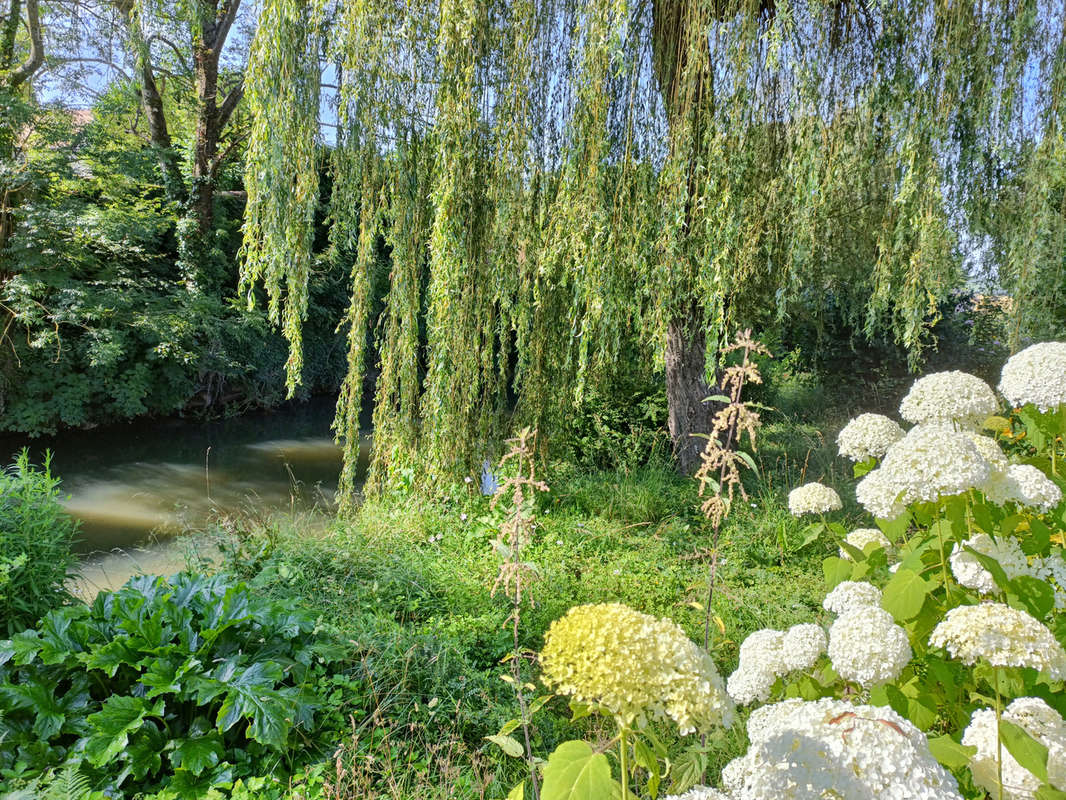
(101, 326)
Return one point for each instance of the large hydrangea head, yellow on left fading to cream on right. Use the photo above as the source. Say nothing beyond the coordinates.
(636, 666)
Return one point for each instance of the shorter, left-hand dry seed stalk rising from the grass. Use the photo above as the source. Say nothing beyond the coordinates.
(516, 574)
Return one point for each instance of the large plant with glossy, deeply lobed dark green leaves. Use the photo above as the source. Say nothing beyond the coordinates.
(177, 684)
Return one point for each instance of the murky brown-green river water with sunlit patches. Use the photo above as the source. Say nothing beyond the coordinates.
(137, 487)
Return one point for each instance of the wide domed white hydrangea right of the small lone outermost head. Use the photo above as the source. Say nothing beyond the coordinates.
(931, 462)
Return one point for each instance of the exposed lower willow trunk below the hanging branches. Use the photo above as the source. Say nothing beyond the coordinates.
(687, 390)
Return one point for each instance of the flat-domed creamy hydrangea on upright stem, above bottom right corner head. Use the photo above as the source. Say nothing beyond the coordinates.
(1002, 636)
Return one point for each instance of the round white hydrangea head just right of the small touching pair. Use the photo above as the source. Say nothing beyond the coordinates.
(867, 647)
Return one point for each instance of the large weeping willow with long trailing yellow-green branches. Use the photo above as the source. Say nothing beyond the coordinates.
(561, 182)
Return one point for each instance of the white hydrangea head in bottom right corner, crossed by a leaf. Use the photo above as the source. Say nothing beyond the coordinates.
(1039, 721)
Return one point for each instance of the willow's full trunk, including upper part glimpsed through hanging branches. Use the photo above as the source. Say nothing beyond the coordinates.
(686, 87)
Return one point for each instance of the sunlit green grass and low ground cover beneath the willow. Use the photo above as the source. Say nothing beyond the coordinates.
(409, 582)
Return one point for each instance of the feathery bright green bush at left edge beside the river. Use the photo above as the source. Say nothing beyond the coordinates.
(36, 539)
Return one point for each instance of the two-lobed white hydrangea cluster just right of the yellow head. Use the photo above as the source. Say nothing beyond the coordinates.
(768, 654)
